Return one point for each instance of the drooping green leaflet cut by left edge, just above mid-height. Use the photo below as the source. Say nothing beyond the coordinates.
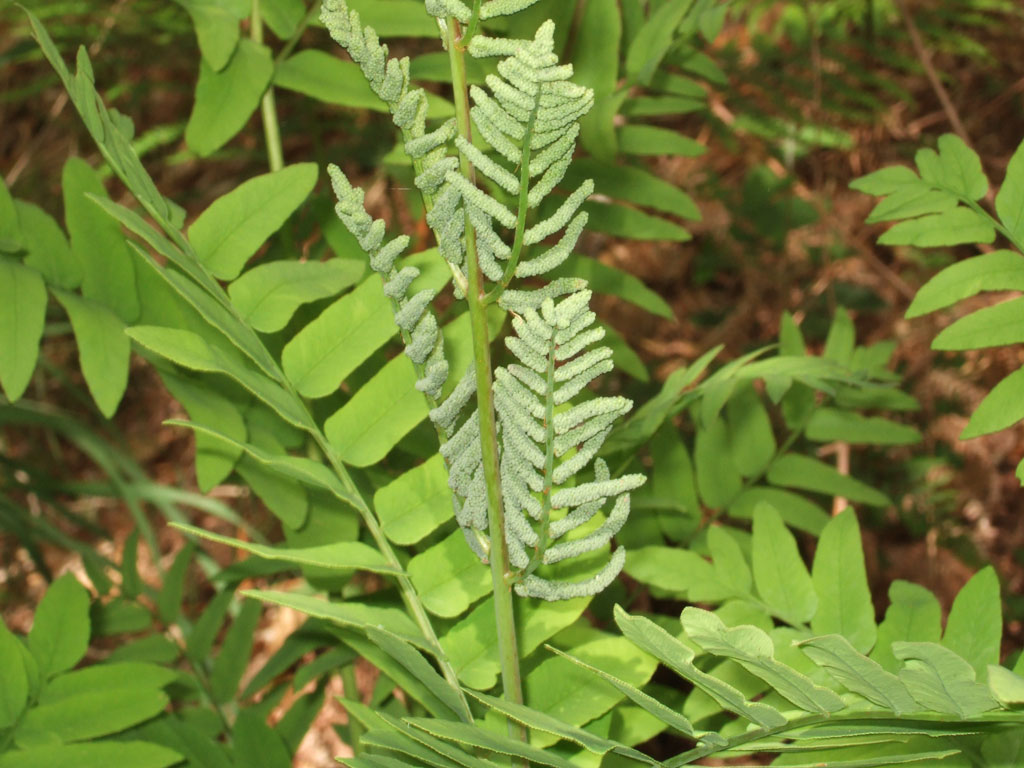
(23, 315)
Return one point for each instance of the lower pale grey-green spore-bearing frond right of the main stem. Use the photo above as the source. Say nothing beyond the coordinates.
(545, 448)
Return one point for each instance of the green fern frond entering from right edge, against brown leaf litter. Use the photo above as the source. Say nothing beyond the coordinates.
(941, 205)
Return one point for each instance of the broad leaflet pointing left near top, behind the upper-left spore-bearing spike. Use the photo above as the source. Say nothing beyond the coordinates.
(334, 81)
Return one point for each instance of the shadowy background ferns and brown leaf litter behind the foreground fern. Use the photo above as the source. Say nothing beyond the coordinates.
(733, 226)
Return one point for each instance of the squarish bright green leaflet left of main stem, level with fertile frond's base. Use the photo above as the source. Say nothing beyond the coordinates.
(449, 577)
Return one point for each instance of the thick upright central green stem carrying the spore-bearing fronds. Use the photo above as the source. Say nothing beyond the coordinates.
(501, 578)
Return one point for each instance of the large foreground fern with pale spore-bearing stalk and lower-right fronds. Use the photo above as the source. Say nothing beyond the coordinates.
(296, 391)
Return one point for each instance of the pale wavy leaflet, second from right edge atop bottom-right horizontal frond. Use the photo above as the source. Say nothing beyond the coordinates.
(941, 680)
